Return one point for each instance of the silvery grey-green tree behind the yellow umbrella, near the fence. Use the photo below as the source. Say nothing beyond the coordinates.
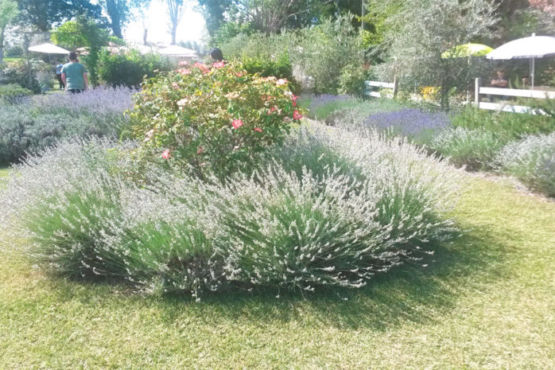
(423, 29)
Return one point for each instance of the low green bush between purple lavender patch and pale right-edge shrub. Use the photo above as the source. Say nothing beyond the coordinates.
(474, 149)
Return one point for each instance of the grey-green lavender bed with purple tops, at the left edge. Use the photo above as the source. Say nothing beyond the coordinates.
(37, 122)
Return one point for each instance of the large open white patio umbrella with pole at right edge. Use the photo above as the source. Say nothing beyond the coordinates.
(526, 48)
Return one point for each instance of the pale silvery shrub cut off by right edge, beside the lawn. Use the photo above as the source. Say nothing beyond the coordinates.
(532, 160)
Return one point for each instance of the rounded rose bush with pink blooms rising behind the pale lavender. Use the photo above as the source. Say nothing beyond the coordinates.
(213, 118)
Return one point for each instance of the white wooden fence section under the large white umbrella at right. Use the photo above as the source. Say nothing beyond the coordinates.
(504, 107)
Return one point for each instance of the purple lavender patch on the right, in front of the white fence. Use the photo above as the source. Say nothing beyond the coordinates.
(409, 122)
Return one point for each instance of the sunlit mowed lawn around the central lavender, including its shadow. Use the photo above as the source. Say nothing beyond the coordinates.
(487, 300)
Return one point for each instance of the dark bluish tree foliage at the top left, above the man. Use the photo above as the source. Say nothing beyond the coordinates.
(42, 14)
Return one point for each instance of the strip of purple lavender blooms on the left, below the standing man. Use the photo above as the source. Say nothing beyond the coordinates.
(101, 100)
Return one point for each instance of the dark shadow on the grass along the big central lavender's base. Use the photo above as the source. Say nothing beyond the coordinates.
(407, 293)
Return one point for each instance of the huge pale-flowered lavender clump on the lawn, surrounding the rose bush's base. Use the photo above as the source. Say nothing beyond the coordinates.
(335, 211)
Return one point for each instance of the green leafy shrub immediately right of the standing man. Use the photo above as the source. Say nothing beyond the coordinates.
(129, 69)
